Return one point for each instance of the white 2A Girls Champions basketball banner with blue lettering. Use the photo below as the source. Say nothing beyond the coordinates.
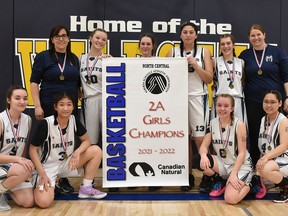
(145, 122)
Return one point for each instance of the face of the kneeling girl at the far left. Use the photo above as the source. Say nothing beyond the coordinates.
(18, 100)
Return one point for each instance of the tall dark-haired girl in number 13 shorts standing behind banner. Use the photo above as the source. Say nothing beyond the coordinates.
(200, 74)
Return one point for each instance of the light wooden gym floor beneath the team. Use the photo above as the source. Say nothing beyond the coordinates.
(151, 208)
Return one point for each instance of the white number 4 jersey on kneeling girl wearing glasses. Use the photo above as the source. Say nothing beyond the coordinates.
(269, 137)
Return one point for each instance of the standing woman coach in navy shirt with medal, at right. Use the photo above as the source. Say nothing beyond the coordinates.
(266, 68)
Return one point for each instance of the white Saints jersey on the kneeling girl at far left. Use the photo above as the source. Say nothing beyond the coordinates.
(14, 143)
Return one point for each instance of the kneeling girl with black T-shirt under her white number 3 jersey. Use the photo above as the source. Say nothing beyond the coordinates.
(52, 152)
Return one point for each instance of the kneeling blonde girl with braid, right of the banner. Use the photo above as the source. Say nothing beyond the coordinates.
(232, 161)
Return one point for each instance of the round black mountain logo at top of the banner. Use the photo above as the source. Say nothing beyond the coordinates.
(156, 82)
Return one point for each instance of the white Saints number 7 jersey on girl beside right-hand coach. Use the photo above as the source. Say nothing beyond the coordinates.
(223, 76)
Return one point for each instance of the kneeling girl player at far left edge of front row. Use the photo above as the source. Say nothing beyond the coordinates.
(15, 169)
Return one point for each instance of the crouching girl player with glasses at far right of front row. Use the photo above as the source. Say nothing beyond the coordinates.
(273, 144)
